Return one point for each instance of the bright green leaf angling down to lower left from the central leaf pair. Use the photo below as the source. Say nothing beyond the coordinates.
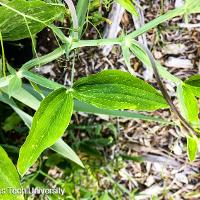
(49, 123)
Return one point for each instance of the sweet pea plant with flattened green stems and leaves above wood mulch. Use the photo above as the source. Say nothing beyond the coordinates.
(108, 92)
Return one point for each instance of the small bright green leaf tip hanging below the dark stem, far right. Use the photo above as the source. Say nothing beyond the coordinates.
(192, 147)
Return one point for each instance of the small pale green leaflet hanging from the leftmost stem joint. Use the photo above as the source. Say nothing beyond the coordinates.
(14, 85)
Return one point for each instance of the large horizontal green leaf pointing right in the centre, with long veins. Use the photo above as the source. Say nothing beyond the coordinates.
(114, 89)
